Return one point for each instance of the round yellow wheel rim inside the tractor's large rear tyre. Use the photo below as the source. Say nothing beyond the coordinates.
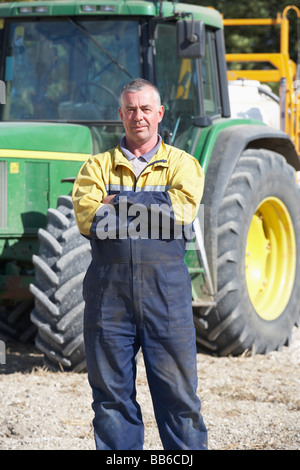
(270, 258)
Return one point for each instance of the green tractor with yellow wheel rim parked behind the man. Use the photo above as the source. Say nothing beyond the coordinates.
(63, 65)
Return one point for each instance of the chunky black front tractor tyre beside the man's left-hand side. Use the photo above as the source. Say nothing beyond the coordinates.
(60, 268)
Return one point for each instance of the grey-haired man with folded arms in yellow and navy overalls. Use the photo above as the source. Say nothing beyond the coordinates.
(137, 289)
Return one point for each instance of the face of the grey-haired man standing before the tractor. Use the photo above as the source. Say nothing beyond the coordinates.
(141, 115)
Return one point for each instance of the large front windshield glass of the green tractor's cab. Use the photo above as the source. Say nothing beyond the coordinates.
(68, 70)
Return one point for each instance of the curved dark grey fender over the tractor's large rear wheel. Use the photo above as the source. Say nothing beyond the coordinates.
(229, 145)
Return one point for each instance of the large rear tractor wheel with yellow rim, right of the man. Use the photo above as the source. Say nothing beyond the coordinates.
(258, 265)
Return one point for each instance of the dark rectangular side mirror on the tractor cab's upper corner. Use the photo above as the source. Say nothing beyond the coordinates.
(190, 39)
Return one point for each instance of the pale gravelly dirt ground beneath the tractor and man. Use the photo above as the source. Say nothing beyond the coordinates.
(247, 402)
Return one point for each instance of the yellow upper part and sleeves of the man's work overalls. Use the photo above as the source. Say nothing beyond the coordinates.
(171, 172)
